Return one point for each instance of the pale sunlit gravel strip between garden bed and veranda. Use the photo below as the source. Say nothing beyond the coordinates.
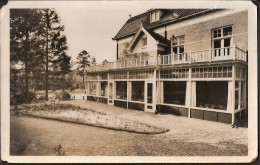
(192, 130)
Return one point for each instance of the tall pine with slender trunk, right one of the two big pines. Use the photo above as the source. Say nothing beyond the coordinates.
(57, 61)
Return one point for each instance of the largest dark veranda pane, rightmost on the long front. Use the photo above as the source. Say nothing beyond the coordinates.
(212, 95)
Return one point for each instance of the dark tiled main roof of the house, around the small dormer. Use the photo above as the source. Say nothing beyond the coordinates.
(169, 16)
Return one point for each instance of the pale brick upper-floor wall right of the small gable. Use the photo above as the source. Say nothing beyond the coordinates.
(198, 36)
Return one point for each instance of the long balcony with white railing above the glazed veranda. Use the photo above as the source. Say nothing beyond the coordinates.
(211, 55)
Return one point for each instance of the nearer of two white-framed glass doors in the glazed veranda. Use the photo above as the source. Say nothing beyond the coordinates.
(149, 97)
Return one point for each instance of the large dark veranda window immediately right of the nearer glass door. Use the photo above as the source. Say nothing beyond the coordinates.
(174, 92)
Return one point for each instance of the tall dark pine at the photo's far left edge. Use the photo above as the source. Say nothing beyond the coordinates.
(24, 35)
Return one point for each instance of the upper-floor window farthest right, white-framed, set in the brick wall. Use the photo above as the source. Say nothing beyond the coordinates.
(221, 41)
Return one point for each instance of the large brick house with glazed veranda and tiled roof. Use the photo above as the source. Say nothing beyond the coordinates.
(188, 62)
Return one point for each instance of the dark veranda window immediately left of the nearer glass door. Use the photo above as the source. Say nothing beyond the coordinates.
(137, 91)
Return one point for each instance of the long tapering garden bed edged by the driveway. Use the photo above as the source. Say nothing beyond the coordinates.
(75, 114)
